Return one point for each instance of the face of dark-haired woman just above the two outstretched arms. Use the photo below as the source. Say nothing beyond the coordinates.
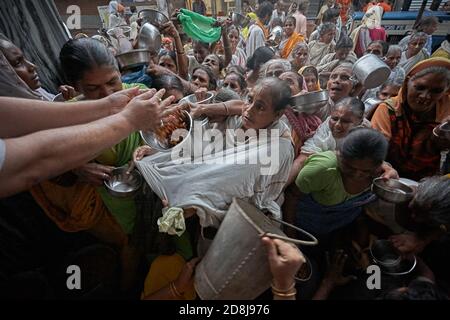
(99, 82)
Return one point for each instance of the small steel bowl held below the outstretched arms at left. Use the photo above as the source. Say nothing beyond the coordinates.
(123, 185)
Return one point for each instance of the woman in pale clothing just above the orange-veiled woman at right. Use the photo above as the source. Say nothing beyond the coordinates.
(415, 51)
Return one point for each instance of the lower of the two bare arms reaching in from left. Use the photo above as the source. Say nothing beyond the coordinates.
(45, 154)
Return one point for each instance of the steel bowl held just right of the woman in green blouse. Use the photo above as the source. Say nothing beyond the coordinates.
(392, 190)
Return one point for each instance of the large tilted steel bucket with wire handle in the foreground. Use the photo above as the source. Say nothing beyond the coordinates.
(236, 266)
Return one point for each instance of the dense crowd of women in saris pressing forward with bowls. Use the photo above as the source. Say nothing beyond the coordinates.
(328, 159)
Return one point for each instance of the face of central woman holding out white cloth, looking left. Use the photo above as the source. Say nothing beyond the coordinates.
(258, 112)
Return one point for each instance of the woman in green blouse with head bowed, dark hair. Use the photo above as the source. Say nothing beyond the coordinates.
(332, 187)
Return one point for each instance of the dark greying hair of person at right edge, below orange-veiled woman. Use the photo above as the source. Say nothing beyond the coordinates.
(433, 197)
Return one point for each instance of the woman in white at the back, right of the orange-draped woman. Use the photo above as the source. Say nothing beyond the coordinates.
(318, 49)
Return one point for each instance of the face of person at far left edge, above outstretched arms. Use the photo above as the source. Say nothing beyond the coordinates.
(24, 68)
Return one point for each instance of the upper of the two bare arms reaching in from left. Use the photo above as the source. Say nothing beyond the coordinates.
(19, 117)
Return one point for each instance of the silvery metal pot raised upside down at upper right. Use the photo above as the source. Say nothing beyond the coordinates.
(371, 71)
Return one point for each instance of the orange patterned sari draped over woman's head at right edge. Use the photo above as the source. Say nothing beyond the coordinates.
(411, 149)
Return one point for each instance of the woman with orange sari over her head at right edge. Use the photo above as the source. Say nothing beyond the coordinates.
(408, 120)
